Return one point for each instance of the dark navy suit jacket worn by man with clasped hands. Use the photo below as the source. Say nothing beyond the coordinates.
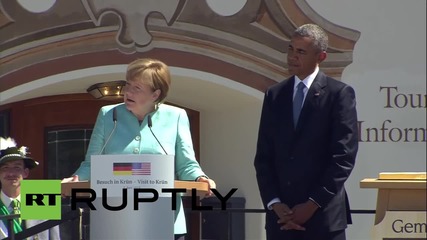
(315, 158)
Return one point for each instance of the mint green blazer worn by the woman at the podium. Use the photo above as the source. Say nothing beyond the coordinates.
(172, 128)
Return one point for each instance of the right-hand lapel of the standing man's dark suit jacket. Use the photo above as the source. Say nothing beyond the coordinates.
(312, 100)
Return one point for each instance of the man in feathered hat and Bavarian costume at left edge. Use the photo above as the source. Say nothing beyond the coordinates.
(15, 165)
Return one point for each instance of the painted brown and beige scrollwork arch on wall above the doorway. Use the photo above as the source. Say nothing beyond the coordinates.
(70, 35)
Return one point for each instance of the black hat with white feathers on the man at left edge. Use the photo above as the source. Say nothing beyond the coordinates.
(9, 152)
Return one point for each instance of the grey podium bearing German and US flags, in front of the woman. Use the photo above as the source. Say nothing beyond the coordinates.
(130, 196)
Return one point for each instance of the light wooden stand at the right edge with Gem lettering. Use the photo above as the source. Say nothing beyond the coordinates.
(401, 205)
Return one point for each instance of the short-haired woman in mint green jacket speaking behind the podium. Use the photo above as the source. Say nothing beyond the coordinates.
(147, 85)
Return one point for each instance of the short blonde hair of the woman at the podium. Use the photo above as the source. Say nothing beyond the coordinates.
(158, 72)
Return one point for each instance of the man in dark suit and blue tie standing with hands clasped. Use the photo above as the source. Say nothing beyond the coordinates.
(307, 145)
